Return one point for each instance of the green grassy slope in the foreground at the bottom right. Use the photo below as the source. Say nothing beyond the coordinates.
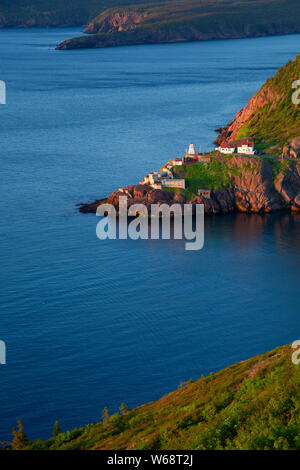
(254, 404)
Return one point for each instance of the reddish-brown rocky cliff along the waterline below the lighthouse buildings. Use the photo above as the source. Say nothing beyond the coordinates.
(257, 187)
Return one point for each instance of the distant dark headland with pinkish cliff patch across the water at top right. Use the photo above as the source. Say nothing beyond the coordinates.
(189, 20)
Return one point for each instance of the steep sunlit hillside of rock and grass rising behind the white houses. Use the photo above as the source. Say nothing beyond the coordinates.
(270, 118)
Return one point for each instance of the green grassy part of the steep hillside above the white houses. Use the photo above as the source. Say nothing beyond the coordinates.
(273, 124)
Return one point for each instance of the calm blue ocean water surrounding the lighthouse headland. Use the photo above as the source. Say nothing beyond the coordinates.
(90, 324)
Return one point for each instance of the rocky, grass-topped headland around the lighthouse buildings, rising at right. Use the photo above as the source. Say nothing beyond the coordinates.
(266, 182)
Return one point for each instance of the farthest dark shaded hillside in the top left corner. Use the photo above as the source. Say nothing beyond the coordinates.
(20, 13)
